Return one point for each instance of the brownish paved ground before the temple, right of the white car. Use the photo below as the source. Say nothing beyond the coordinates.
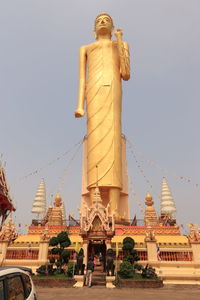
(94, 293)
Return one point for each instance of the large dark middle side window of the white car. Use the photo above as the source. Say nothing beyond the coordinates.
(15, 288)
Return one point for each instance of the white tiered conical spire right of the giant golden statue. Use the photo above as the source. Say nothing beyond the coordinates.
(167, 205)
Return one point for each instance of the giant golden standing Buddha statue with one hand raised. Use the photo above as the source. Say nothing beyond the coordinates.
(105, 62)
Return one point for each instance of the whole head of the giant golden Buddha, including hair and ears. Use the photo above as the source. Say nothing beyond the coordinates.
(103, 25)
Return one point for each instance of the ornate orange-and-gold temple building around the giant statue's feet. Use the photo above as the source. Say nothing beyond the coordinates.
(178, 260)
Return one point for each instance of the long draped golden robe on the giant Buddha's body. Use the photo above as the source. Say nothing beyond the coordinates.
(103, 98)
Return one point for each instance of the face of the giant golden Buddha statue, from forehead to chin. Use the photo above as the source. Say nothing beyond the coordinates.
(103, 25)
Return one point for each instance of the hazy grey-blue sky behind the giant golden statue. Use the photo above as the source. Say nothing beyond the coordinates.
(40, 40)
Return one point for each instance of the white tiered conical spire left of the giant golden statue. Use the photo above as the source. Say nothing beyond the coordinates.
(39, 204)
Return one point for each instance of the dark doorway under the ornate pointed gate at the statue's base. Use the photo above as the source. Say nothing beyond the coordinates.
(97, 250)
